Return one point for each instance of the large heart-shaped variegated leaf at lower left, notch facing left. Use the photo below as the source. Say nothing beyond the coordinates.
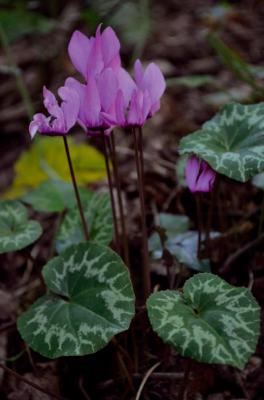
(91, 299)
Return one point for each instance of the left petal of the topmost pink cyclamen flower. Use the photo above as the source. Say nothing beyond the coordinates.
(79, 51)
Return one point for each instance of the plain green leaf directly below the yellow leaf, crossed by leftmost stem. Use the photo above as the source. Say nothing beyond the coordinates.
(54, 196)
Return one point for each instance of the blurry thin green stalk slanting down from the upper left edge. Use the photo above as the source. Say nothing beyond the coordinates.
(24, 93)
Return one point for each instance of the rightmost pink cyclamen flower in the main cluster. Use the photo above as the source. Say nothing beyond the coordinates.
(137, 101)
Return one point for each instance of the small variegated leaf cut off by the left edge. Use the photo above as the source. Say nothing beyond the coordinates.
(16, 230)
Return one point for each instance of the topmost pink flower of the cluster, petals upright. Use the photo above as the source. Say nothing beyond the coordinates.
(91, 56)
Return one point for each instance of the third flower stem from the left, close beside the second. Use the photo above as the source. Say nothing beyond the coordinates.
(119, 197)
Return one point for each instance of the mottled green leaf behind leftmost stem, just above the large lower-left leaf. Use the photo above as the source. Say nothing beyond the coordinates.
(98, 215)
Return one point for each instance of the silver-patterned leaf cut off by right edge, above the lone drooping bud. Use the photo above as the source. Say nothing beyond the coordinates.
(232, 142)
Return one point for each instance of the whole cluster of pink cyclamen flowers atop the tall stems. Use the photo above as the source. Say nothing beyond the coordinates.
(108, 97)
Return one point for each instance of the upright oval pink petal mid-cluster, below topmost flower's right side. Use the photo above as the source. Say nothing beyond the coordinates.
(107, 86)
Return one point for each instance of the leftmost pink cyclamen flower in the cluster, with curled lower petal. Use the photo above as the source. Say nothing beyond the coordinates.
(62, 118)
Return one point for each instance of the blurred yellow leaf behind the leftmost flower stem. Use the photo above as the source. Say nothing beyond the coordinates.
(46, 159)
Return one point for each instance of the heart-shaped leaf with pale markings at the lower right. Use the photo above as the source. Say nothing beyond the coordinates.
(211, 321)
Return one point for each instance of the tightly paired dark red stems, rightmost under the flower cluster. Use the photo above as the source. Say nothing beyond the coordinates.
(140, 172)
